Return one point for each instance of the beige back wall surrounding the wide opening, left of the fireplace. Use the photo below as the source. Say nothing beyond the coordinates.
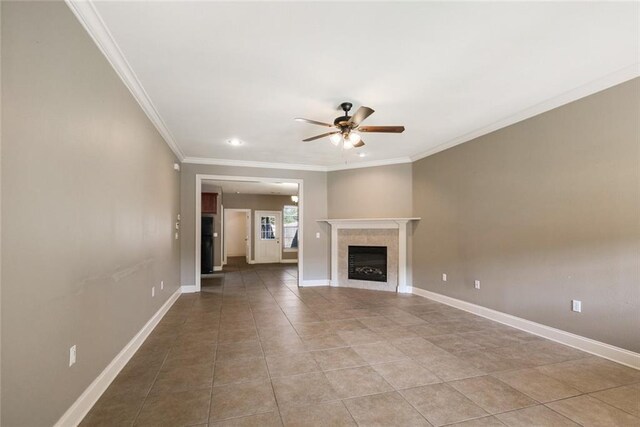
(316, 250)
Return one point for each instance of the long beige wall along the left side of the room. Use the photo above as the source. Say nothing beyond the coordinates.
(89, 201)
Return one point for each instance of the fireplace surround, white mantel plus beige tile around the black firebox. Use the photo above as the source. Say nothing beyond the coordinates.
(390, 232)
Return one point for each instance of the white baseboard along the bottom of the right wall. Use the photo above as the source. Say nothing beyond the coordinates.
(607, 351)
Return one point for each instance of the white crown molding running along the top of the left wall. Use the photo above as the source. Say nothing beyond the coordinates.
(86, 13)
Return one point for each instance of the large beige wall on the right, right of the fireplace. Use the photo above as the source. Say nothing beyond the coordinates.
(542, 212)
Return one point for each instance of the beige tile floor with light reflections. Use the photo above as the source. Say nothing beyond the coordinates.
(254, 350)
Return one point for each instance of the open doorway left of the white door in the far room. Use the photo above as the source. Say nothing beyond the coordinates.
(237, 234)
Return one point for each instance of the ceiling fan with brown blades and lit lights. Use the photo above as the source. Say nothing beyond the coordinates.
(349, 127)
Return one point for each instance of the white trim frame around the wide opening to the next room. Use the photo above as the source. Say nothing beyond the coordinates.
(198, 214)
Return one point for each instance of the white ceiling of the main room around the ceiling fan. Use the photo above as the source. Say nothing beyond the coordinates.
(448, 71)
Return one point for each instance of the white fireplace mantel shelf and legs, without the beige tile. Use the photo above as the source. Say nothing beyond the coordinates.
(401, 224)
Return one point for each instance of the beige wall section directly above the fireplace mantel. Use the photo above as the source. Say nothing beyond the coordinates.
(375, 192)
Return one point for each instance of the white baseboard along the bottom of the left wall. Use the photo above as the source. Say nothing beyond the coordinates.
(90, 396)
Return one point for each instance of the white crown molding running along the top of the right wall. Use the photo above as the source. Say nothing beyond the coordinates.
(583, 91)
